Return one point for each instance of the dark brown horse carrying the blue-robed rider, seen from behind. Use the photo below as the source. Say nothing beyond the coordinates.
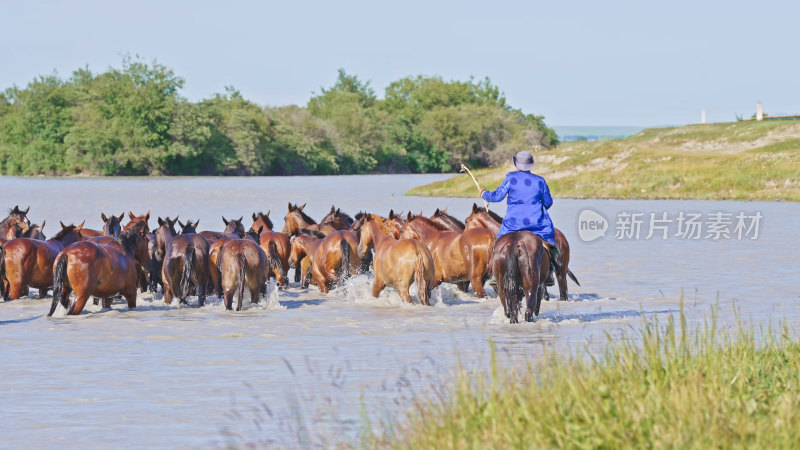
(520, 264)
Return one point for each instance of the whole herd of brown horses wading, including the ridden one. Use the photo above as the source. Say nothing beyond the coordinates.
(120, 260)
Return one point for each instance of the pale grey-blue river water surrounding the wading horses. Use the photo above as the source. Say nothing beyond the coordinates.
(299, 367)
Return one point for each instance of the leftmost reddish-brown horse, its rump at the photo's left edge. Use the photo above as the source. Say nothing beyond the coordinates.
(28, 262)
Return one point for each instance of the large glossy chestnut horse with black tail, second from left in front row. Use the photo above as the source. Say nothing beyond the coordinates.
(102, 270)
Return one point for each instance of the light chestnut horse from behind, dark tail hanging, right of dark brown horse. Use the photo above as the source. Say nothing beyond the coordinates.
(241, 263)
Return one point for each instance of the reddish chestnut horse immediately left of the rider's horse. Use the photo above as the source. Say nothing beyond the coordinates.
(459, 258)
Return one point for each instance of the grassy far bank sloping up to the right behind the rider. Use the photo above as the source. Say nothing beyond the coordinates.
(746, 160)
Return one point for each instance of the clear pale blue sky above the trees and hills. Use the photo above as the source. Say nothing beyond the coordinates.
(575, 62)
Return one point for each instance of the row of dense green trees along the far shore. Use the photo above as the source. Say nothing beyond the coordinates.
(133, 121)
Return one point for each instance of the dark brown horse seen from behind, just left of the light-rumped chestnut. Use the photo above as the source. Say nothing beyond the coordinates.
(185, 264)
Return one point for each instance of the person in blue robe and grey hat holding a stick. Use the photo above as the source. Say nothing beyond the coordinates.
(528, 201)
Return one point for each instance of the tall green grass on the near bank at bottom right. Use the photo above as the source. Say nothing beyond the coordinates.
(672, 390)
